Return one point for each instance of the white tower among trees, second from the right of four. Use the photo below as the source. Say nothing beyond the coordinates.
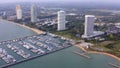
(61, 20)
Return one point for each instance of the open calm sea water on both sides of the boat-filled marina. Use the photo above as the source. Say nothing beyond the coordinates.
(61, 59)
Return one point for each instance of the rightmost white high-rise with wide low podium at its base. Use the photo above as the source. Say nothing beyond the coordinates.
(89, 27)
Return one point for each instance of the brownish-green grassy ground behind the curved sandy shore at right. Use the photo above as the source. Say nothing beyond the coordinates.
(112, 47)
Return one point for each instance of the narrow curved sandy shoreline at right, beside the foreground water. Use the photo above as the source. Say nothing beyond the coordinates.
(95, 52)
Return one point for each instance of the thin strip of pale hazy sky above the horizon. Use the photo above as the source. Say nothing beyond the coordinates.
(107, 1)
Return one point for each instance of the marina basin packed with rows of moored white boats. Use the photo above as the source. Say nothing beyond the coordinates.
(39, 45)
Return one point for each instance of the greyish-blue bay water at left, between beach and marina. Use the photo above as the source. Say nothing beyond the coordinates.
(11, 31)
